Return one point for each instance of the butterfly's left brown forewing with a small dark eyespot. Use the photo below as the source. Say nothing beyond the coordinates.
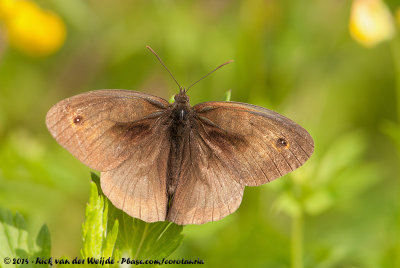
(101, 128)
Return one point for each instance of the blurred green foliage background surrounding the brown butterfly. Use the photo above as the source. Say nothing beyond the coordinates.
(341, 209)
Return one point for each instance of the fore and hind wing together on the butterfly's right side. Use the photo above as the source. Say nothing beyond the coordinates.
(232, 145)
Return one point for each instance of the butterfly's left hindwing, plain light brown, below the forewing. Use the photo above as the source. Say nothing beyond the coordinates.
(138, 185)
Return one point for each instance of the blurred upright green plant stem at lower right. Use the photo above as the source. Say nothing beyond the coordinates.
(297, 240)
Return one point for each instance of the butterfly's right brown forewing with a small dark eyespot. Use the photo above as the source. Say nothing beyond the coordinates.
(264, 144)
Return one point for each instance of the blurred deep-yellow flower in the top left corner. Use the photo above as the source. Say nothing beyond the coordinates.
(31, 29)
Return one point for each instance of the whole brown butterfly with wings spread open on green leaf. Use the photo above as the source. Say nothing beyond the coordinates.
(162, 161)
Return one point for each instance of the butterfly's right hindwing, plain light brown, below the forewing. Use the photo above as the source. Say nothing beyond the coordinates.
(207, 189)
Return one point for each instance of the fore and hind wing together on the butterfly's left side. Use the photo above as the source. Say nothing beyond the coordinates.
(124, 134)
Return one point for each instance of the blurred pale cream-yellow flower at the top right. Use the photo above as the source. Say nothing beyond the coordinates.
(371, 22)
